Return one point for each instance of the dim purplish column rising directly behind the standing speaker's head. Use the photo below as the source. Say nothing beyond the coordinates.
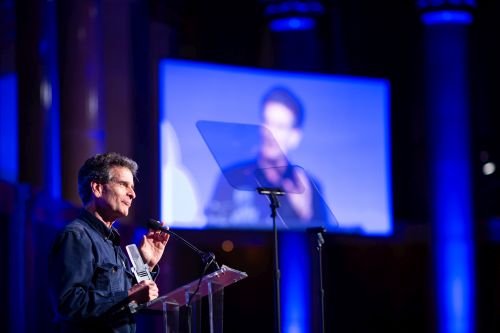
(82, 125)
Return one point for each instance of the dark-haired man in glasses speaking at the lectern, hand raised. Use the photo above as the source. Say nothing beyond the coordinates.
(92, 286)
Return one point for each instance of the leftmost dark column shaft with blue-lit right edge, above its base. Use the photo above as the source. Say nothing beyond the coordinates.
(38, 95)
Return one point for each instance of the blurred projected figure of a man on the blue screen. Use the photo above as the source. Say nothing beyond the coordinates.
(282, 116)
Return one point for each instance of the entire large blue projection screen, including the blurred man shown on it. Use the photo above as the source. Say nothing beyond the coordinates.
(225, 131)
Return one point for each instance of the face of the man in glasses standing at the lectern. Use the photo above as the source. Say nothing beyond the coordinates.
(115, 197)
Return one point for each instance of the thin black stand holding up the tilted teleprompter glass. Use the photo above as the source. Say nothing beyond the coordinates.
(273, 193)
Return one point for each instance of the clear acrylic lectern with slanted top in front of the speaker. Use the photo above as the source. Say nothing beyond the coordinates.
(211, 285)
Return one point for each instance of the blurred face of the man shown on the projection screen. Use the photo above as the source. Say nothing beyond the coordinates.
(279, 120)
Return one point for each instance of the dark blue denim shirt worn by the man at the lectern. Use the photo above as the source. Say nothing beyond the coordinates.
(89, 277)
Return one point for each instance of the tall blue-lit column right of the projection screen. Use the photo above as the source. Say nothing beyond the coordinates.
(447, 102)
